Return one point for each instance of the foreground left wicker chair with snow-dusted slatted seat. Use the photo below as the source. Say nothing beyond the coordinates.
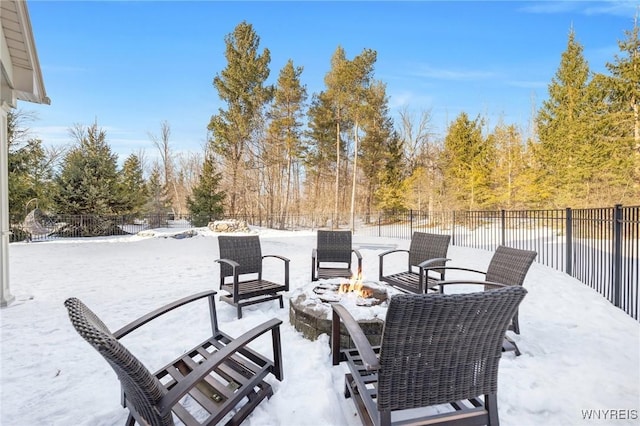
(221, 380)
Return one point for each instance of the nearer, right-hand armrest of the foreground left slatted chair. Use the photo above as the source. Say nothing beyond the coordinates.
(197, 374)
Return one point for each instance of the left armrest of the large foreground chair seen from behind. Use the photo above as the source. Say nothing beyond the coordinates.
(369, 358)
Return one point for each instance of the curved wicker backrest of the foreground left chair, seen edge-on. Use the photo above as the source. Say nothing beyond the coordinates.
(142, 389)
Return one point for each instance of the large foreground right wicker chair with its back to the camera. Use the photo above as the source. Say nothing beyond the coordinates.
(436, 350)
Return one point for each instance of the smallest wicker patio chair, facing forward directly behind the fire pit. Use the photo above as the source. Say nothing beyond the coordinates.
(332, 256)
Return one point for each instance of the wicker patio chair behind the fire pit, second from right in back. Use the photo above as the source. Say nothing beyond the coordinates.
(425, 250)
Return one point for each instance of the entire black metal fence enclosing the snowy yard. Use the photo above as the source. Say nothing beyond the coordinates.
(599, 247)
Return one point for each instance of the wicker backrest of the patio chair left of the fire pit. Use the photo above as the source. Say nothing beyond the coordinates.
(245, 250)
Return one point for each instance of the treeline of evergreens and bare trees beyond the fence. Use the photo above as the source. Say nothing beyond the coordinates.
(273, 150)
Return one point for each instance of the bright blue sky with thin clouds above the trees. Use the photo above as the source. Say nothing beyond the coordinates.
(131, 65)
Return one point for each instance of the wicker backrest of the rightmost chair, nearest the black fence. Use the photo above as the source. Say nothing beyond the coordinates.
(509, 265)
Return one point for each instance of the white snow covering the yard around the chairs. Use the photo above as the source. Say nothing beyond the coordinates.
(580, 362)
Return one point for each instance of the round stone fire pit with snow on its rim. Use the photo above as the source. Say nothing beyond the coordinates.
(310, 309)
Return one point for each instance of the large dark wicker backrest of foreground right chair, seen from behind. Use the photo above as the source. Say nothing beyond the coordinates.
(438, 348)
